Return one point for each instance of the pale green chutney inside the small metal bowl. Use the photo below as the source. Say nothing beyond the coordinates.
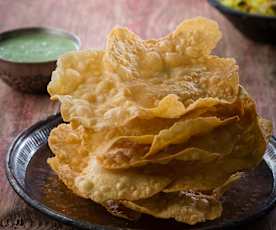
(35, 46)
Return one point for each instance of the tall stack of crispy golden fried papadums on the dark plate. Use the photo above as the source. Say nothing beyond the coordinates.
(160, 127)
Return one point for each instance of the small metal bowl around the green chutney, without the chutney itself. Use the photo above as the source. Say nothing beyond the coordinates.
(30, 77)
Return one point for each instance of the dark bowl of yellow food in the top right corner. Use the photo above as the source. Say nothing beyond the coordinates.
(256, 19)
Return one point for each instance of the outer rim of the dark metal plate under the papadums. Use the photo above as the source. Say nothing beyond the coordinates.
(45, 210)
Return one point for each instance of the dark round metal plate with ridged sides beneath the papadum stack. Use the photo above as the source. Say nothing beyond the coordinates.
(33, 180)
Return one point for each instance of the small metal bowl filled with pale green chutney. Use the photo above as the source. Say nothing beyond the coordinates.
(28, 56)
